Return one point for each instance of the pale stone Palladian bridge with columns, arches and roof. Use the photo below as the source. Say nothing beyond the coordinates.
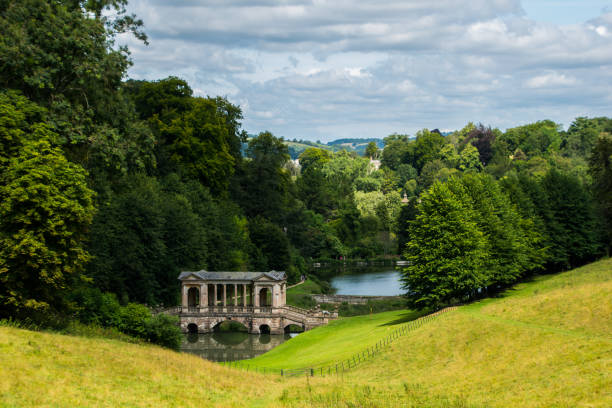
(255, 299)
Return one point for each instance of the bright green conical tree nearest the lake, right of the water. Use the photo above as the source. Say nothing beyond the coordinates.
(447, 250)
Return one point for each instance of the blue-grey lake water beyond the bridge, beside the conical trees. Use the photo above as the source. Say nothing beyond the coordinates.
(368, 282)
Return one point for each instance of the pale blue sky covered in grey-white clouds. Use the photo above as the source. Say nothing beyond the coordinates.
(329, 69)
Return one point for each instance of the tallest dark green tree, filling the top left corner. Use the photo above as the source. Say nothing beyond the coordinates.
(61, 58)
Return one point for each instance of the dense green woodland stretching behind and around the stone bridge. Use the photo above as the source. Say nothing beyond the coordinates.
(110, 186)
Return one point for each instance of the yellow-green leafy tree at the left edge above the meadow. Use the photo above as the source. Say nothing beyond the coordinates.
(46, 208)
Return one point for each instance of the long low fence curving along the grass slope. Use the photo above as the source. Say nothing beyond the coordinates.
(344, 365)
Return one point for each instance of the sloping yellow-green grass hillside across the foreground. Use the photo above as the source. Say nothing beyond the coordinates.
(545, 343)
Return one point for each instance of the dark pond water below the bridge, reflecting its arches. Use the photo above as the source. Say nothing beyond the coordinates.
(231, 346)
